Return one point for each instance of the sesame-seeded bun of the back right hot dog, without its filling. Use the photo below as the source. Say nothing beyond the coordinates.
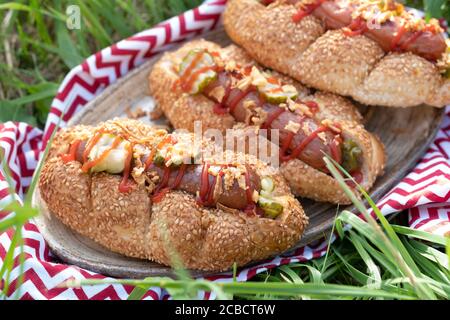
(354, 66)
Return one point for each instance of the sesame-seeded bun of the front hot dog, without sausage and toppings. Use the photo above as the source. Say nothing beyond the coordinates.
(176, 227)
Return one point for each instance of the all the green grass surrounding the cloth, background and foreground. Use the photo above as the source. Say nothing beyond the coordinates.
(385, 260)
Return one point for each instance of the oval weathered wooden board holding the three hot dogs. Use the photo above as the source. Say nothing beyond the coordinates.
(406, 134)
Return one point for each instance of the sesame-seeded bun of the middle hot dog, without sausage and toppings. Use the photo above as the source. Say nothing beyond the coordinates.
(183, 109)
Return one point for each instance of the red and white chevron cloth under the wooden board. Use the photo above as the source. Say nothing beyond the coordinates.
(425, 191)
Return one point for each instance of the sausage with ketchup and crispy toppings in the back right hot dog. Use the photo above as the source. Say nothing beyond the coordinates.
(425, 40)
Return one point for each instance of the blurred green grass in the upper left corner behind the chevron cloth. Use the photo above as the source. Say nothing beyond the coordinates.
(37, 50)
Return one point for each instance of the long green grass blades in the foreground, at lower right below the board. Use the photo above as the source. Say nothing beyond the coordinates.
(375, 260)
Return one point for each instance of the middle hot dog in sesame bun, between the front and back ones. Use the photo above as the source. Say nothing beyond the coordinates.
(202, 81)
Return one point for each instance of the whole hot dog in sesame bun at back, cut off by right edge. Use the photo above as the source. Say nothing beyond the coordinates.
(373, 51)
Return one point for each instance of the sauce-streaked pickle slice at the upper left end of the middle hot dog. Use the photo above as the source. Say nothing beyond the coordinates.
(192, 63)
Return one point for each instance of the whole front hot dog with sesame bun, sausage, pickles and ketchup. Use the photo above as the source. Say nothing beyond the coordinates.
(135, 204)
